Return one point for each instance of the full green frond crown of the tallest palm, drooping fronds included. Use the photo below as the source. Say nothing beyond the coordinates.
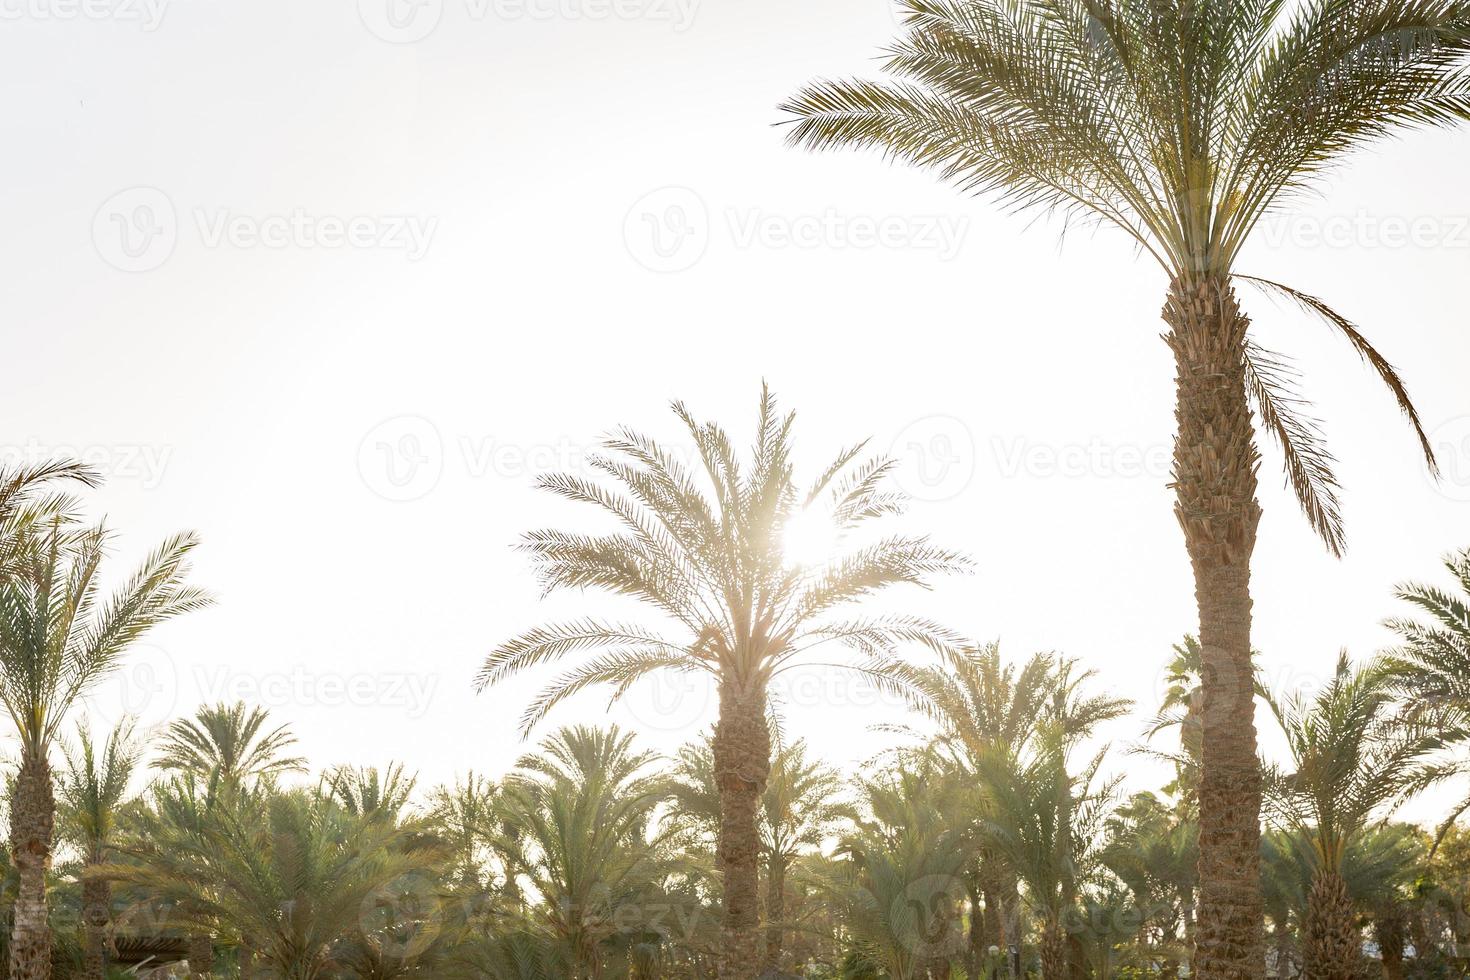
(1183, 124)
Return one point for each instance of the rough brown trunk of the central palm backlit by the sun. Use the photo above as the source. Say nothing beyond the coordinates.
(742, 769)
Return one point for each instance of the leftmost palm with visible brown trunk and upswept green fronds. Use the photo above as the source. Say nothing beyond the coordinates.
(58, 638)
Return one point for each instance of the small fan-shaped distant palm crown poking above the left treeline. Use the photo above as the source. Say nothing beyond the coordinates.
(230, 743)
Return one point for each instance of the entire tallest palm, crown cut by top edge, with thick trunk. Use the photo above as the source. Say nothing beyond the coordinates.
(1181, 123)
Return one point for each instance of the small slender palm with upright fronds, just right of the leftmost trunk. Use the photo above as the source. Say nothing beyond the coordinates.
(93, 791)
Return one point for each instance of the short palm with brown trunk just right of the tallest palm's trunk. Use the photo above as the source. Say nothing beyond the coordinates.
(1355, 762)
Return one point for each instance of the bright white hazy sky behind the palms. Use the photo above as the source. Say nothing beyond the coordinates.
(330, 283)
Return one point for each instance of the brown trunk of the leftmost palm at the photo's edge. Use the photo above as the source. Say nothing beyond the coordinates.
(33, 822)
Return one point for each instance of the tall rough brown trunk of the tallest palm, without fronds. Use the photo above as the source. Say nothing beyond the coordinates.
(1215, 489)
